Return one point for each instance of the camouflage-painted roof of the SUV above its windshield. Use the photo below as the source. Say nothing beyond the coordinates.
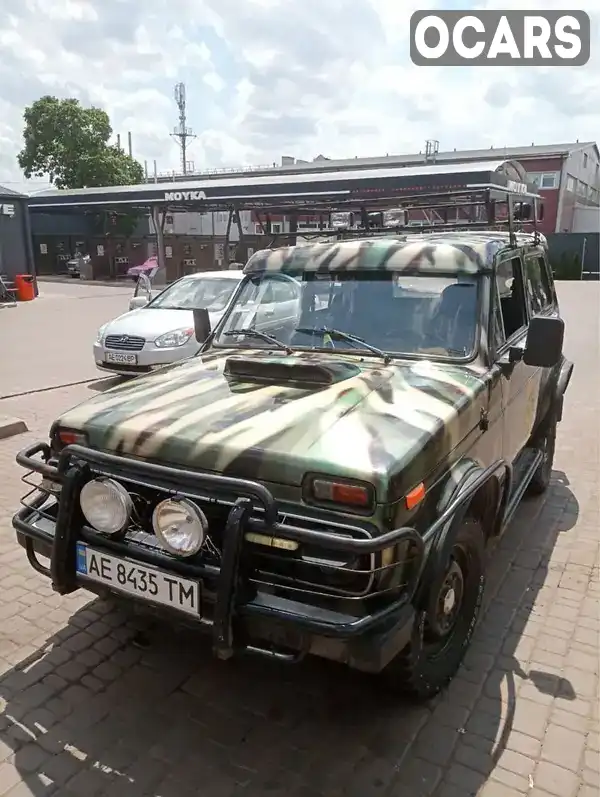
(433, 253)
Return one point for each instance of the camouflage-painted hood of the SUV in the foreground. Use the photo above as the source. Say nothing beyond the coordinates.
(334, 415)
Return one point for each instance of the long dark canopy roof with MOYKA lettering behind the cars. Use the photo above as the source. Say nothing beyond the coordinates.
(299, 193)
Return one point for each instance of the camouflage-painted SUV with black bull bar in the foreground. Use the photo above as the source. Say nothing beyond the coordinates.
(325, 480)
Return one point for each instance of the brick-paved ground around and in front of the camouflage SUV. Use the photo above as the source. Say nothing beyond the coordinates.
(83, 711)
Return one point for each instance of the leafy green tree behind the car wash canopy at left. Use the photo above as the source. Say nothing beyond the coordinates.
(68, 143)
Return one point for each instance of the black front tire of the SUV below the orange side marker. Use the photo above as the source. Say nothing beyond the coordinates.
(429, 661)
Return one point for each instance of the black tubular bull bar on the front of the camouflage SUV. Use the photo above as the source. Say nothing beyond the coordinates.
(73, 470)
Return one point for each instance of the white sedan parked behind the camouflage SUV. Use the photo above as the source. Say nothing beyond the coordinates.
(162, 331)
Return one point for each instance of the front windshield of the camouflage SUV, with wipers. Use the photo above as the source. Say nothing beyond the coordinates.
(398, 314)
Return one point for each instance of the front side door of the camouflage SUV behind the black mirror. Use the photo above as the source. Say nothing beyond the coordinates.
(520, 383)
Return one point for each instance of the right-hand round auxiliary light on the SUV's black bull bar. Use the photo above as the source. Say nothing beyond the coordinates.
(180, 526)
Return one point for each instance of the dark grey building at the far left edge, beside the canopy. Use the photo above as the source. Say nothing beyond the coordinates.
(16, 253)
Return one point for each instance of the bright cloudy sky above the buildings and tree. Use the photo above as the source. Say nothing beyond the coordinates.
(267, 78)
